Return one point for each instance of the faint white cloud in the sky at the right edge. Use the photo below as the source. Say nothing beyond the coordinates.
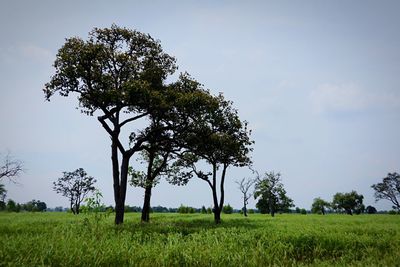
(350, 97)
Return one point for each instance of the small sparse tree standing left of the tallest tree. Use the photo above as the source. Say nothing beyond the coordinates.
(75, 186)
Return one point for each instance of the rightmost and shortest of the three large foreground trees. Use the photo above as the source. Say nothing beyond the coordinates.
(219, 138)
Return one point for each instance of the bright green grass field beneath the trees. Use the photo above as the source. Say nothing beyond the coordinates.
(60, 239)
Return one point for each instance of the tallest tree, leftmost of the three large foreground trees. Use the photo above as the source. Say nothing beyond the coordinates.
(120, 73)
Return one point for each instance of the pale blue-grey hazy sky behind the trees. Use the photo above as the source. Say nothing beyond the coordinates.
(318, 82)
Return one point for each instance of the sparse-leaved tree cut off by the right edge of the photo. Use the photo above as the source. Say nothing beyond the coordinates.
(389, 189)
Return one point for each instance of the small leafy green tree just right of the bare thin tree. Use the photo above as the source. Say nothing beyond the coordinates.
(271, 194)
